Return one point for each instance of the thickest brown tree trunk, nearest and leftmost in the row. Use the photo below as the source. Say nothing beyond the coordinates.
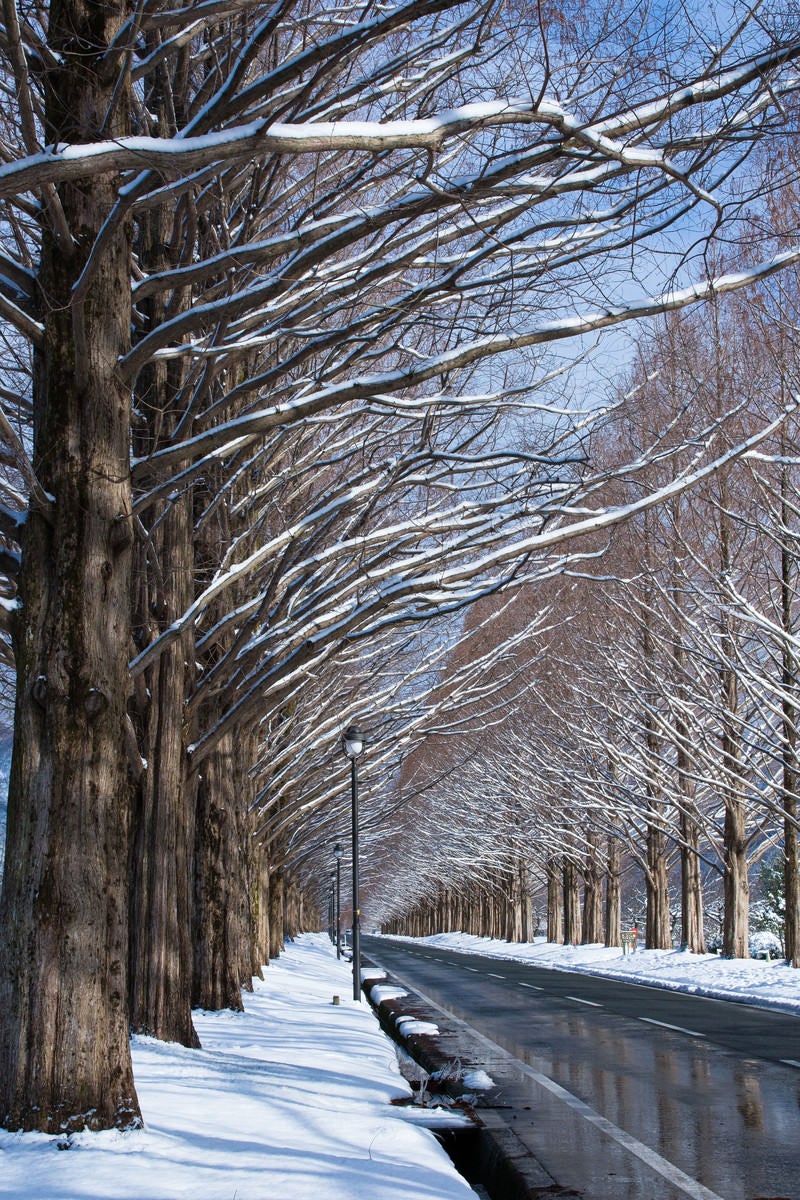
(64, 1031)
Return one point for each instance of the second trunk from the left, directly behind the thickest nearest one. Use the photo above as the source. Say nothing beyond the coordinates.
(164, 587)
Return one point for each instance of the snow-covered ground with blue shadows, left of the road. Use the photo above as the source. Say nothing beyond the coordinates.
(290, 1100)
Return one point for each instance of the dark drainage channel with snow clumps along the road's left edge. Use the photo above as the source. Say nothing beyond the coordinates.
(442, 1071)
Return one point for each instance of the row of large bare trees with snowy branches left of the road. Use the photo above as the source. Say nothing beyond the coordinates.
(282, 291)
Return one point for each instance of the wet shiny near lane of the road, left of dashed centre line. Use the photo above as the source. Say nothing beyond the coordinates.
(727, 1121)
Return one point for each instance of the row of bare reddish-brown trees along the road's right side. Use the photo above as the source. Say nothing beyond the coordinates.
(658, 737)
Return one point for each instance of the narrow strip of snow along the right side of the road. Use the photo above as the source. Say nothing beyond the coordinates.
(751, 981)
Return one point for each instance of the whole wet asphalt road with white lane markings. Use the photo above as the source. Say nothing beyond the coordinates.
(627, 1093)
